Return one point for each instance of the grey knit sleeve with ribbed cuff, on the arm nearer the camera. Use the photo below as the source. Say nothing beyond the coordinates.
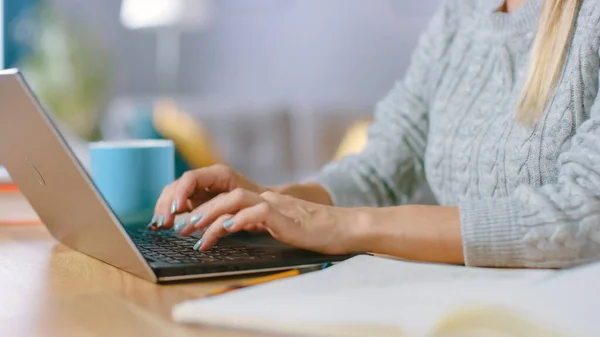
(552, 226)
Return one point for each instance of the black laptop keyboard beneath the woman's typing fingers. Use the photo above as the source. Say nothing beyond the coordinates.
(167, 246)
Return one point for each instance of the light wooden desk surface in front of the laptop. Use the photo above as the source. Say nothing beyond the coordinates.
(47, 289)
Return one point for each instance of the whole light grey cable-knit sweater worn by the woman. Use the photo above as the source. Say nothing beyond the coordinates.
(528, 196)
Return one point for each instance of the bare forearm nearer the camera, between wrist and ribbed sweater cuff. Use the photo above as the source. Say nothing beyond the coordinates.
(421, 233)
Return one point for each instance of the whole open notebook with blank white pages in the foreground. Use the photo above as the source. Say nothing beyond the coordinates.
(376, 296)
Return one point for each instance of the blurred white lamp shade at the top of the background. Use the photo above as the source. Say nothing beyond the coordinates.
(182, 14)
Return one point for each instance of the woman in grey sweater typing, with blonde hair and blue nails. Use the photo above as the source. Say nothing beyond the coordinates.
(499, 111)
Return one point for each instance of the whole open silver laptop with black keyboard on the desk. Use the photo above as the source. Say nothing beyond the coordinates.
(59, 188)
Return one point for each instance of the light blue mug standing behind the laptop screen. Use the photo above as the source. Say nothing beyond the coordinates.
(131, 175)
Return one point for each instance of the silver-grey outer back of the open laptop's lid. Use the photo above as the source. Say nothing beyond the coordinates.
(51, 178)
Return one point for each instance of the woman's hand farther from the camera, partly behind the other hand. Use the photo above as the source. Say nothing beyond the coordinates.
(195, 188)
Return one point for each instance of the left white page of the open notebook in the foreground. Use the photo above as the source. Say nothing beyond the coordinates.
(368, 291)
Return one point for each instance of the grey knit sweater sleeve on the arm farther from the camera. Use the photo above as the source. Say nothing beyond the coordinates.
(390, 168)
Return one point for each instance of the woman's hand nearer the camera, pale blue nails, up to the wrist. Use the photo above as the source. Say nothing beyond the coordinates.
(290, 220)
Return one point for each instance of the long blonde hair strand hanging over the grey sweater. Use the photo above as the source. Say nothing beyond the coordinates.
(547, 58)
